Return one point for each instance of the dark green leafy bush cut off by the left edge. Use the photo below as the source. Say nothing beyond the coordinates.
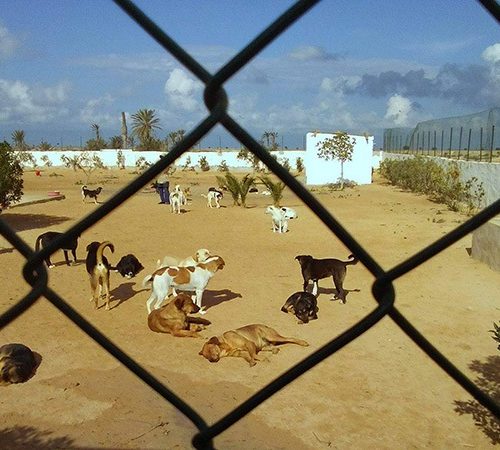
(11, 176)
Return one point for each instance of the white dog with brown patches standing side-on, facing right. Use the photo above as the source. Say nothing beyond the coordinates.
(191, 278)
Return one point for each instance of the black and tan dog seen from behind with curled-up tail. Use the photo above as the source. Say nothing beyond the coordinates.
(98, 268)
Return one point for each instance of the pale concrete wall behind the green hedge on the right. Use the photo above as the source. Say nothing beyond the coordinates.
(486, 173)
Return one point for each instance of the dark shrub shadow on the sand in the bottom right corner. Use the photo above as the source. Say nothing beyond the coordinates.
(489, 382)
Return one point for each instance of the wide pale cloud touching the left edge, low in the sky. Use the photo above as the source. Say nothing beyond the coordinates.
(20, 102)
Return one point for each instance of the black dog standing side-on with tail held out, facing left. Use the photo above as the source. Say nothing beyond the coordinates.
(316, 269)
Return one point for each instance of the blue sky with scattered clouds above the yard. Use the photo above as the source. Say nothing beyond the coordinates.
(359, 66)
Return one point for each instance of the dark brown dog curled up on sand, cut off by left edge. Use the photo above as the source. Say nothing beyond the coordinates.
(17, 364)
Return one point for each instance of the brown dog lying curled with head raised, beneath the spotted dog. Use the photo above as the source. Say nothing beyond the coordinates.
(173, 318)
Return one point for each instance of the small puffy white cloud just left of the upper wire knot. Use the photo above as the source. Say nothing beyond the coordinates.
(182, 91)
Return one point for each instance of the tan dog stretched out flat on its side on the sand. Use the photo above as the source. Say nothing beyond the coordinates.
(246, 342)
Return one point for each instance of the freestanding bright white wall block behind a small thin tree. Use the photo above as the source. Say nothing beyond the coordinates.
(320, 171)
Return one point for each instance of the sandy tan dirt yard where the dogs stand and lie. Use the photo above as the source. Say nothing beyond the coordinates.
(381, 391)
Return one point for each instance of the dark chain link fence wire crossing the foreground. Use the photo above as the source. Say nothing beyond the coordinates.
(216, 101)
